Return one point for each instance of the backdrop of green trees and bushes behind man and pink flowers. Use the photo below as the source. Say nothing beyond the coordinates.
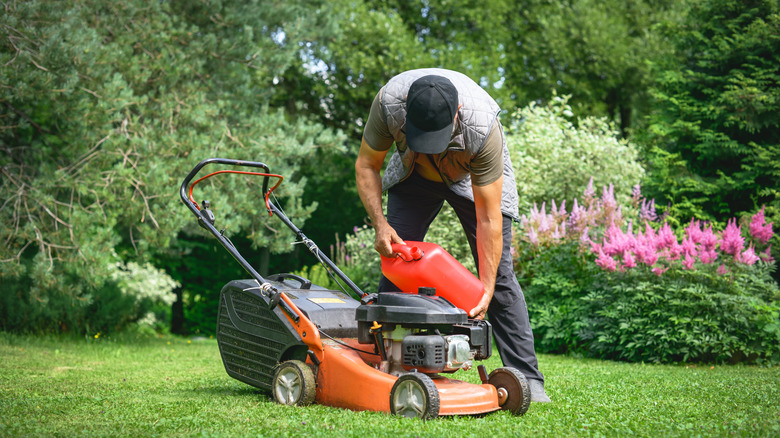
(105, 106)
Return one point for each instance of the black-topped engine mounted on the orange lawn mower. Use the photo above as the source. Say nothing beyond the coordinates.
(423, 332)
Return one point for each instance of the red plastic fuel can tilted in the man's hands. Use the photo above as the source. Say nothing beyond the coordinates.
(425, 264)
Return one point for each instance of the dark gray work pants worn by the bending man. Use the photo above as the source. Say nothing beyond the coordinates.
(411, 208)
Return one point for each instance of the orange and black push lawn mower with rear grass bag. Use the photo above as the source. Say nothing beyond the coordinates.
(388, 352)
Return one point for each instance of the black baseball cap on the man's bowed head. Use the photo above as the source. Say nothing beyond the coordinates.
(431, 105)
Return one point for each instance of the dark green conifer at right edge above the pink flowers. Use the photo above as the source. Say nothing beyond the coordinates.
(716, 124)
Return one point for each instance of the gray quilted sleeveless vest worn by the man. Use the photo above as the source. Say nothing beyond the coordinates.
(476, 116)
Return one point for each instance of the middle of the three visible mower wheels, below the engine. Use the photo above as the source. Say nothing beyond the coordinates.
(415, 395)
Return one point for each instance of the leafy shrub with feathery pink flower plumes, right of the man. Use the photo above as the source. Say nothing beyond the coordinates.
(599, 283)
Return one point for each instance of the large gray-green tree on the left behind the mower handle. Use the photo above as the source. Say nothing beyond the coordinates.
(107, 106)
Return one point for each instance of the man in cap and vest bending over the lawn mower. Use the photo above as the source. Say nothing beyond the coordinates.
(450, 147)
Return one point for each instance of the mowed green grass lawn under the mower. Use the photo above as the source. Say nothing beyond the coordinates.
(178, 387)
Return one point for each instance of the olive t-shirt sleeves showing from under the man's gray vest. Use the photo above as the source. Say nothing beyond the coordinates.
(486, 167)
